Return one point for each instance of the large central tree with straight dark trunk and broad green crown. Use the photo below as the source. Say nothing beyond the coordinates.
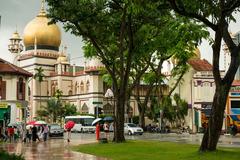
(112, 31)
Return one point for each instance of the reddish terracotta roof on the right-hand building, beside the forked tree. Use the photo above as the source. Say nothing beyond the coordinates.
(200, 64)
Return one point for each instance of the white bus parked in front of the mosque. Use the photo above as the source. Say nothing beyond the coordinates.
(83, 124)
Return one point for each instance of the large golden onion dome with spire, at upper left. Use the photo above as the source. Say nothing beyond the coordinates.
(38, 31)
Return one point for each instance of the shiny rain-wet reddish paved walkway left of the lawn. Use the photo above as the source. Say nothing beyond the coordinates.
(53, 149)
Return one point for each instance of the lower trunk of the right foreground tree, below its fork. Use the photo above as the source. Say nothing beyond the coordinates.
(213, 132)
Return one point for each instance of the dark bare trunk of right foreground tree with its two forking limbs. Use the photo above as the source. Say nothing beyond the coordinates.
(223, 85)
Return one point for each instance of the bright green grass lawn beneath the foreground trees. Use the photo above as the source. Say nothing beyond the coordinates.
(154, 150)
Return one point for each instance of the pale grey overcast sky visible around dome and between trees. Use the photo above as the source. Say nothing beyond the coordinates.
(17, 13)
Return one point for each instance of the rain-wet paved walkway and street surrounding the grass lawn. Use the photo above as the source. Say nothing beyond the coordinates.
(60, 149)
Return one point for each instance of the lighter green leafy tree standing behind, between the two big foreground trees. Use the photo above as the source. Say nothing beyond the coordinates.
(184, 36)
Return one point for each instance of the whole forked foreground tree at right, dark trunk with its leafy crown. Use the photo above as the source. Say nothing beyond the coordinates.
(216, 15)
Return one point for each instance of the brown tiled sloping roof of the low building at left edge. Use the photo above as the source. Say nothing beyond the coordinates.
(6, 67)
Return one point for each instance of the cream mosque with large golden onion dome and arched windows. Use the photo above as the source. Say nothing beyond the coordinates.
(81, 85)
